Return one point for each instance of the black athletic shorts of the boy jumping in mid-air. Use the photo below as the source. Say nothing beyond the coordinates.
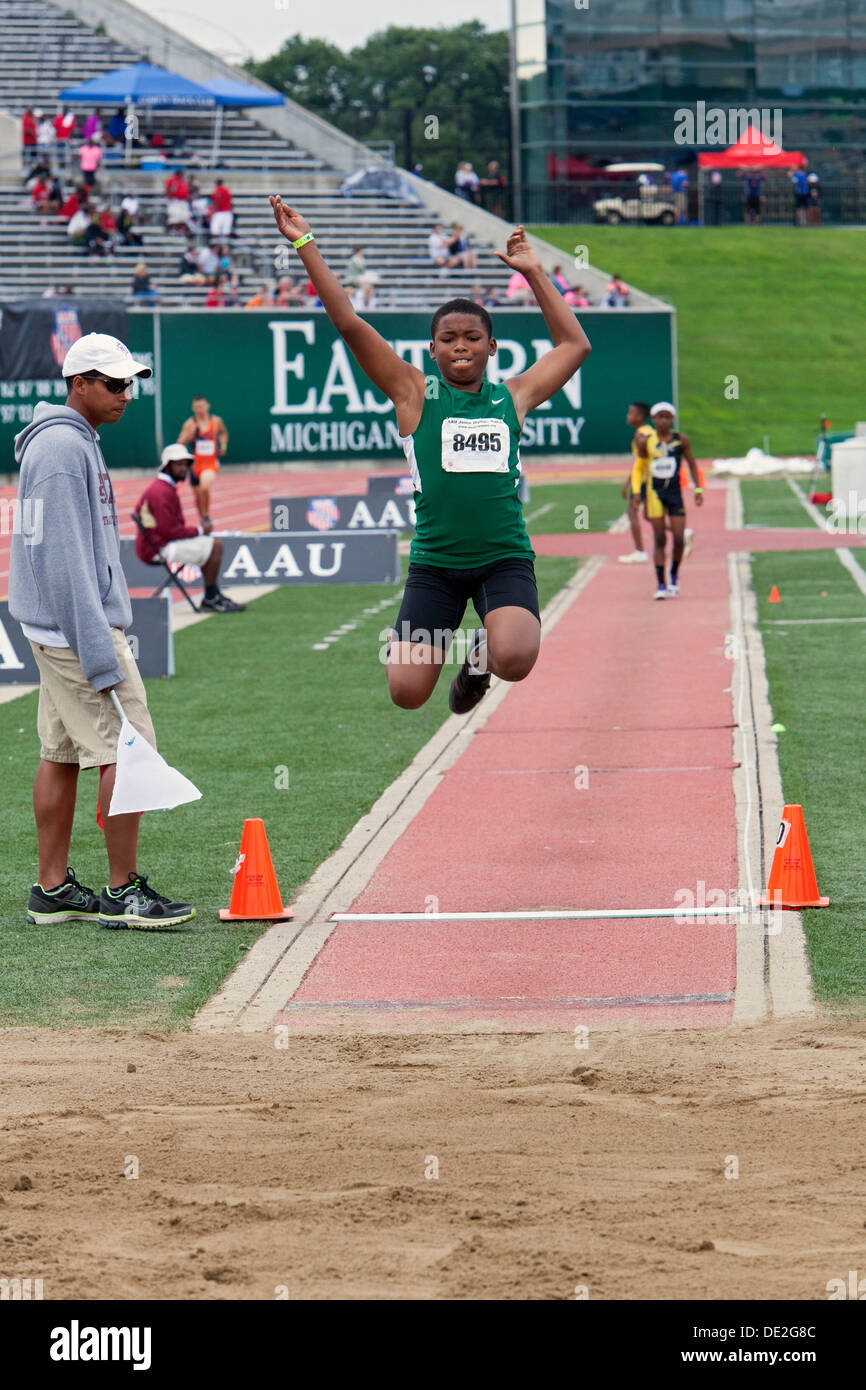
(434, 600)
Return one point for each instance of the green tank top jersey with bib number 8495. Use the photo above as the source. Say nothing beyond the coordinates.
(465, 464)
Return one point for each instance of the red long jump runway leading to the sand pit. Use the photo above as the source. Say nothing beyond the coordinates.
(630, 697)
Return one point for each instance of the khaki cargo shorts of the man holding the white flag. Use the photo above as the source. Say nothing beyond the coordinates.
(79, 725)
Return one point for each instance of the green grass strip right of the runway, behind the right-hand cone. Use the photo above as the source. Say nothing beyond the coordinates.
(817, 675)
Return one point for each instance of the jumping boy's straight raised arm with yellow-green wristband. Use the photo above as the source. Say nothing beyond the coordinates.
(401, 382)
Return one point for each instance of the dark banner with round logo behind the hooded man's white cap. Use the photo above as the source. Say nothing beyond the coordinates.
(37, 334)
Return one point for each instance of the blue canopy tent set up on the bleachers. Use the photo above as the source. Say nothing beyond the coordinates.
(145, 84)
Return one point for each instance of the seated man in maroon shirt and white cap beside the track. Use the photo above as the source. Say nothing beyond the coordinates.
(168, 536)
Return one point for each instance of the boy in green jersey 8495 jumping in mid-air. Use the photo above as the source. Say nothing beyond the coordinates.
(461, 436)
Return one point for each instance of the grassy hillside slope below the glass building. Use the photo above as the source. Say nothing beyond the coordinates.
(775, 306)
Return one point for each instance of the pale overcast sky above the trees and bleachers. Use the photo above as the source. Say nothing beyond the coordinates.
(234, 30)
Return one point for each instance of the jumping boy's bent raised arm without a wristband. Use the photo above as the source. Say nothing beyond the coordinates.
(571, 344)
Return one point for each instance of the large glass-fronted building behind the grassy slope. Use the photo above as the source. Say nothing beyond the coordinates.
(604, 83)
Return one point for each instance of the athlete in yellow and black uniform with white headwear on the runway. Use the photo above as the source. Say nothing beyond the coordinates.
(662, 462)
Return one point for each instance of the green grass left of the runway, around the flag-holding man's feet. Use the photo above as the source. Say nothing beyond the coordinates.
(251, 697)
